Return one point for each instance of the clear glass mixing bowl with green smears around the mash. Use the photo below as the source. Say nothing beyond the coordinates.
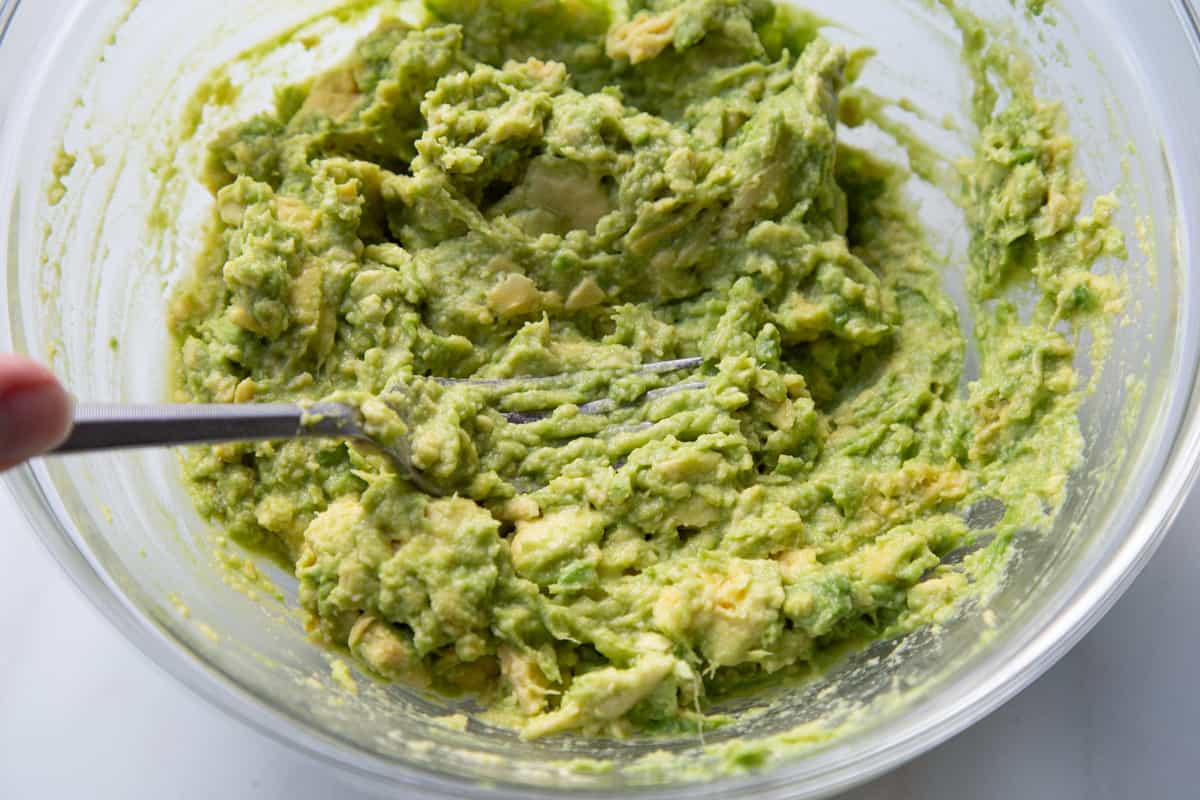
(86, 282)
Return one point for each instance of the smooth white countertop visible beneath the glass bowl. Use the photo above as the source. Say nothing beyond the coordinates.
(83, 714)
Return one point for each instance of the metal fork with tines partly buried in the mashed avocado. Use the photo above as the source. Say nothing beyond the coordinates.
(100, 426)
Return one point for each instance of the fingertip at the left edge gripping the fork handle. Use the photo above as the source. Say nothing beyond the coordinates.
(35, 411)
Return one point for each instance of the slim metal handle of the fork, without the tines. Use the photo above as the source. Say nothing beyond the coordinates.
(112, 428)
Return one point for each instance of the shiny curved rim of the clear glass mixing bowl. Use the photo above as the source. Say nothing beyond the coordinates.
(1027, 657)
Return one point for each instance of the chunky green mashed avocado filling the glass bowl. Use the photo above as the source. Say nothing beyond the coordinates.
(518, 191)
